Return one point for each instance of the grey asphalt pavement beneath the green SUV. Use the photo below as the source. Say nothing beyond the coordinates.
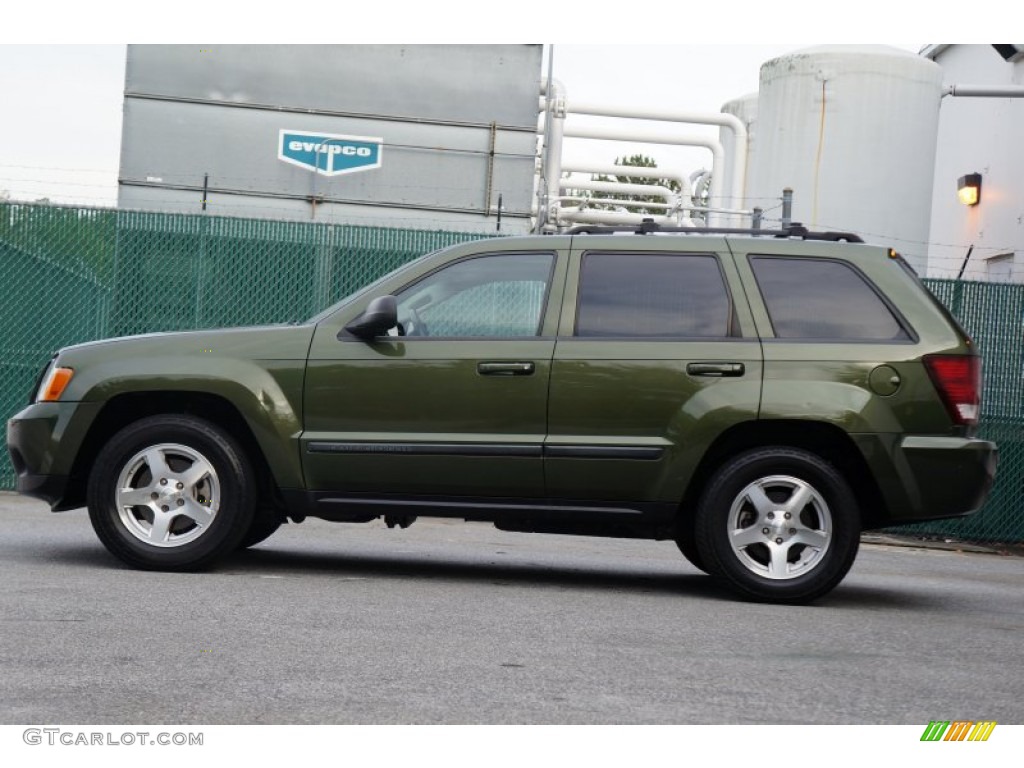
(459, 623)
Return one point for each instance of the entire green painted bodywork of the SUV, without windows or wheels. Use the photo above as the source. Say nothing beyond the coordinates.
(609, 393)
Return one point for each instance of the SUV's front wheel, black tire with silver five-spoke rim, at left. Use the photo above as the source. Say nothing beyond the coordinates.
(172, 493)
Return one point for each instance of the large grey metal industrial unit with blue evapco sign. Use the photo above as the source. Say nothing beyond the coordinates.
(415, 137)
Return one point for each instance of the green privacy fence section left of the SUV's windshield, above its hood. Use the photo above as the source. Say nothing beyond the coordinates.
(74, 275)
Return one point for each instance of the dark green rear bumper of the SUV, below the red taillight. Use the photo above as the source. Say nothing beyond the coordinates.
(931, 478)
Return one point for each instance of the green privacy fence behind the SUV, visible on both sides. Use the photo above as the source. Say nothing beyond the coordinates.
(73, 275)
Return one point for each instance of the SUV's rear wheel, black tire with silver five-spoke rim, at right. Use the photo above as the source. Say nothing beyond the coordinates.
(779, 525)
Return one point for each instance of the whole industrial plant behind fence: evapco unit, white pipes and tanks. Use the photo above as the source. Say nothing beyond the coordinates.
(871, 140)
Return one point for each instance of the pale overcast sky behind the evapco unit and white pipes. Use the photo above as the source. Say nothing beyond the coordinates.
(62, 134)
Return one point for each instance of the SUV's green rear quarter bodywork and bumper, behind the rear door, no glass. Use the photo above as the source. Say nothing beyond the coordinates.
(831, 382)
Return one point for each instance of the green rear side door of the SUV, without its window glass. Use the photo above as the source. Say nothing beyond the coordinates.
(644, 393)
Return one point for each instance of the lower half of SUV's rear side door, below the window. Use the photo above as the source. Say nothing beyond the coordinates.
(648, 402)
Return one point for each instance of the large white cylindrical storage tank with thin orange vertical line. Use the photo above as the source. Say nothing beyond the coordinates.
(852, 132)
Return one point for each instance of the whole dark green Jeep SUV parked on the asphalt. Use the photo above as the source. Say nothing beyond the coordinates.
(760, 400)
